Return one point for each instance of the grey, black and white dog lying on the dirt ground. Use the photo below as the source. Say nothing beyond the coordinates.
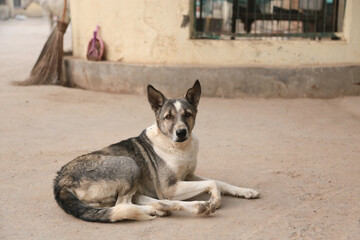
(146, 176)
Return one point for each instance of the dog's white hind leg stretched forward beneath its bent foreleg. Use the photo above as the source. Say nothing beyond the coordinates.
(168, 206)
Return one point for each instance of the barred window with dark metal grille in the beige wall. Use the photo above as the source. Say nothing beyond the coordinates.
(276, 19)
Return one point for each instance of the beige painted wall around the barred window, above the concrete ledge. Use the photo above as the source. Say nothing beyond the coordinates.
(148, 31)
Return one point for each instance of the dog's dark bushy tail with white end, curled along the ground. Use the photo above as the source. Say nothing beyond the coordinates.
(69, 202)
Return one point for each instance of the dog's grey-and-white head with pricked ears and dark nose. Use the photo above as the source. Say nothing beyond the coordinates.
(175, 117)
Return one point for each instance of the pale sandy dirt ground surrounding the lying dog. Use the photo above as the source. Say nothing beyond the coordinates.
(303, 155)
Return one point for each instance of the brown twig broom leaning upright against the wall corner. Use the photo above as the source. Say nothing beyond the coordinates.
(48, 67)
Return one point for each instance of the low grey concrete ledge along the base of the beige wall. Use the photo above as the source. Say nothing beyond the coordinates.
(313, 82)
